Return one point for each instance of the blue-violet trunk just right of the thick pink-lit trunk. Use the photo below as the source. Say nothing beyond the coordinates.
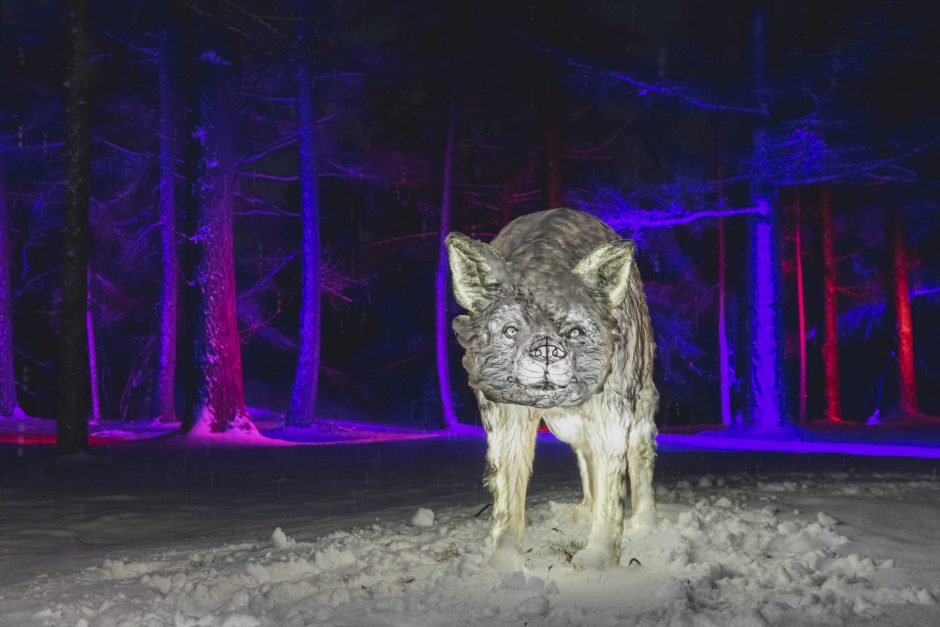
(303, 402)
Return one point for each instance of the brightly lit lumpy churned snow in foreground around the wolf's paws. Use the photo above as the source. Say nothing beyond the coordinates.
(717, 556)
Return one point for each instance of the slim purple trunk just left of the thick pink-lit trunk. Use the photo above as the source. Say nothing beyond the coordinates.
(169, 279)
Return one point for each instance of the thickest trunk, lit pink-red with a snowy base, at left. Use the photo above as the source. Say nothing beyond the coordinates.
(220, 398)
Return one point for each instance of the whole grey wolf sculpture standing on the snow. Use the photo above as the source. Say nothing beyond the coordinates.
(558, 330)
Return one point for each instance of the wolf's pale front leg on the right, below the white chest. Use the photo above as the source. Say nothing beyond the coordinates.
(608, 469)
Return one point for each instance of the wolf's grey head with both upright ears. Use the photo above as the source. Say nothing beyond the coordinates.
(539, 335)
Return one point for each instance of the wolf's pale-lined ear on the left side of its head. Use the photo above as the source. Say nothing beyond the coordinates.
(477, 271)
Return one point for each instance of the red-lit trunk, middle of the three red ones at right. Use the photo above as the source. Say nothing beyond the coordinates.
(830, 309)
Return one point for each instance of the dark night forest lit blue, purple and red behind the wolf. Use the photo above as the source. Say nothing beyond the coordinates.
(208, 206)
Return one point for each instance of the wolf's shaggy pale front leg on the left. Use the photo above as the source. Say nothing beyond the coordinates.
(510, 438)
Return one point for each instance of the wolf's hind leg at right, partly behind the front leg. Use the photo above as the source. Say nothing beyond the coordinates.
(641, 455)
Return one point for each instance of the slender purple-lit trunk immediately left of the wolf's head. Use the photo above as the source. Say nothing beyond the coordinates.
(441, 328)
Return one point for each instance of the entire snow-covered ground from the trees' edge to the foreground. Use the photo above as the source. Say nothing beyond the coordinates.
(151, 533)
